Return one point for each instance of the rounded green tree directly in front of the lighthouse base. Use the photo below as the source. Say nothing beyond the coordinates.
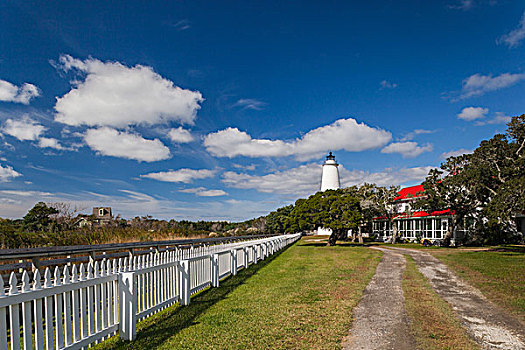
(338, 210)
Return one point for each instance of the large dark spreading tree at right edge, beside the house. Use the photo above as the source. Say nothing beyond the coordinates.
(487, 186)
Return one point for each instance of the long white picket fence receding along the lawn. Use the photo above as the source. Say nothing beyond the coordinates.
(75, 308)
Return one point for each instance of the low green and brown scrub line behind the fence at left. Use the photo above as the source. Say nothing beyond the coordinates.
(58, 224)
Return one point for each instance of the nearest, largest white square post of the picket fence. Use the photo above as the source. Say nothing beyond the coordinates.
(127, 305)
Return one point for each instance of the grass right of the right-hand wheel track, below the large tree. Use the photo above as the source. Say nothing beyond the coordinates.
(498, 273)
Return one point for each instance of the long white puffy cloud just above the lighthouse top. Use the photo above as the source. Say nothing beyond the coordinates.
(344, 134)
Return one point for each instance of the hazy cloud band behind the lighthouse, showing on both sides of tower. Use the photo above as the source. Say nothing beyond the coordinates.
(306, 179)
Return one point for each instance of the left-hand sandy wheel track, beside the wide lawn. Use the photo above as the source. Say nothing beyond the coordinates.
(380, 320)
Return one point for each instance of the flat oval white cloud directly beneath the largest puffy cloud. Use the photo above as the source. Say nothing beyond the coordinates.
(110, 142)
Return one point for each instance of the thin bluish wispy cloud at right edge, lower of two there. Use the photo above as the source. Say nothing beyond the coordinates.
(478, 84)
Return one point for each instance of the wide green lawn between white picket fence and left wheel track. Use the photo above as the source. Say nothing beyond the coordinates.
(300, 299)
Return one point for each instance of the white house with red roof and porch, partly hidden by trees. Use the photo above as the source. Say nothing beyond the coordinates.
(415, 225)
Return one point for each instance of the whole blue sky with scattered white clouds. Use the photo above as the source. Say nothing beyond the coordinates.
(225, 110)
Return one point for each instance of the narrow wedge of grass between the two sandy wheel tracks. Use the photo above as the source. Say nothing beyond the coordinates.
(432, 320)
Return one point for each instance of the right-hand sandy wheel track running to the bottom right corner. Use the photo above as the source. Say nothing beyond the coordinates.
(487, 324)
